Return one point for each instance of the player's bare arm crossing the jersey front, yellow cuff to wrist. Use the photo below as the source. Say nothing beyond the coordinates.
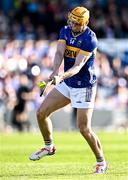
(81, 59)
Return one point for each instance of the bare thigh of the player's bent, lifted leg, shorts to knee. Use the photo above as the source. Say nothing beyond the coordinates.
(53, 101)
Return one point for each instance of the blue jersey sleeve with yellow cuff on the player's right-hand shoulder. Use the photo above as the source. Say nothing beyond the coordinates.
(89, 46)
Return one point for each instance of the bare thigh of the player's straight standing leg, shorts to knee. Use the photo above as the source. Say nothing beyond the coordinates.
(84, 117)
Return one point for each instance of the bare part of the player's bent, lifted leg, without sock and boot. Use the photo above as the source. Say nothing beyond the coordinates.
(53, 101)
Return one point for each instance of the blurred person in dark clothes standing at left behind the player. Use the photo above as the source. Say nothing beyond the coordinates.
(20, 119)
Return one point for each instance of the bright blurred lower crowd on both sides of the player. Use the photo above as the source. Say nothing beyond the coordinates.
(24, 63)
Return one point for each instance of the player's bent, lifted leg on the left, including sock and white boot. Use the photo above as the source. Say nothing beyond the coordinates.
(53, 101)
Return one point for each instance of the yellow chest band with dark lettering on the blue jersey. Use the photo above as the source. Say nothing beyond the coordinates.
(71, 52)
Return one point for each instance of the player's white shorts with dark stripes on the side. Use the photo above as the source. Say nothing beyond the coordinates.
(80, 97)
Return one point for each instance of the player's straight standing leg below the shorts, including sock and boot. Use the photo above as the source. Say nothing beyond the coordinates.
(84, 124)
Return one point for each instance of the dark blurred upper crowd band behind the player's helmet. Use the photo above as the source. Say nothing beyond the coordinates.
(37, 19)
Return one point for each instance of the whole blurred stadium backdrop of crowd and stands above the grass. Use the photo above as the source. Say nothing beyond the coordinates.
(28, 33)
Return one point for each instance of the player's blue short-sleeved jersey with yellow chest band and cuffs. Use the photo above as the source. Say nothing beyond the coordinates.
(86, 42)
